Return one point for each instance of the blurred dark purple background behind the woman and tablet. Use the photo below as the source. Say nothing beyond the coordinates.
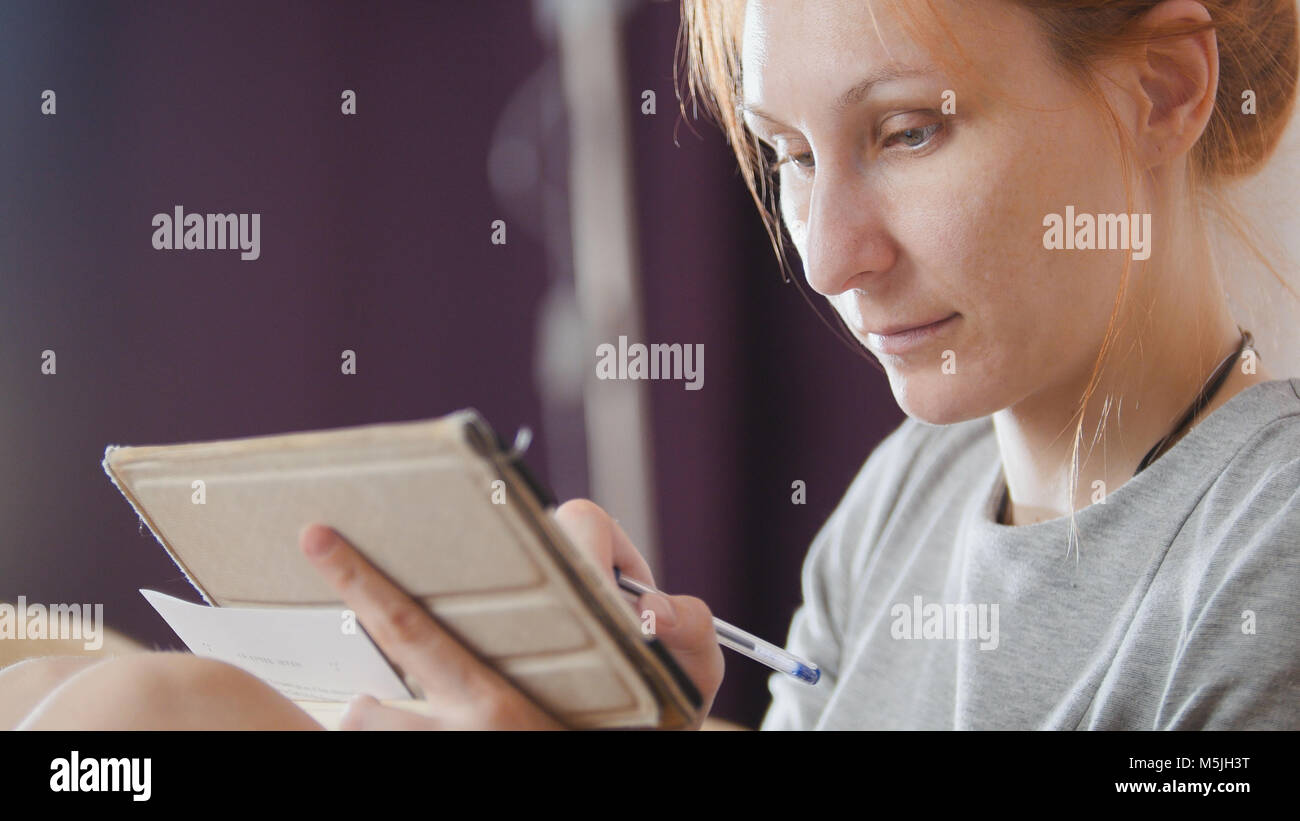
(621, 216)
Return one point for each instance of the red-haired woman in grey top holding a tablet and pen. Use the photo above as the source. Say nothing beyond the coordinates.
(1090, 518)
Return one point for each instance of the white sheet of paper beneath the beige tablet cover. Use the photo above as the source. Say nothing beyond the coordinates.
(306, 654)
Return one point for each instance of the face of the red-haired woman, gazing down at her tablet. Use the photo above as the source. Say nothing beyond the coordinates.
(904, 215)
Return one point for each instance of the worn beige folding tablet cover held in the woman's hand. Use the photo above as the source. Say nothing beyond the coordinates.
(439, 509)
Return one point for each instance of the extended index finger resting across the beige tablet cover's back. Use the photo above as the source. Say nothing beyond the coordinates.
(405, 632)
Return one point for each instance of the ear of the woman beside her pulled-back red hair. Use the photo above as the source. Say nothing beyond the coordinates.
(1176, 82)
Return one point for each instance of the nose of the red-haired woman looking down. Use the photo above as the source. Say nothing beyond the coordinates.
(848, 245)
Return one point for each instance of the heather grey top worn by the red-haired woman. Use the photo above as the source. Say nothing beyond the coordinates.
(1180, 611)
